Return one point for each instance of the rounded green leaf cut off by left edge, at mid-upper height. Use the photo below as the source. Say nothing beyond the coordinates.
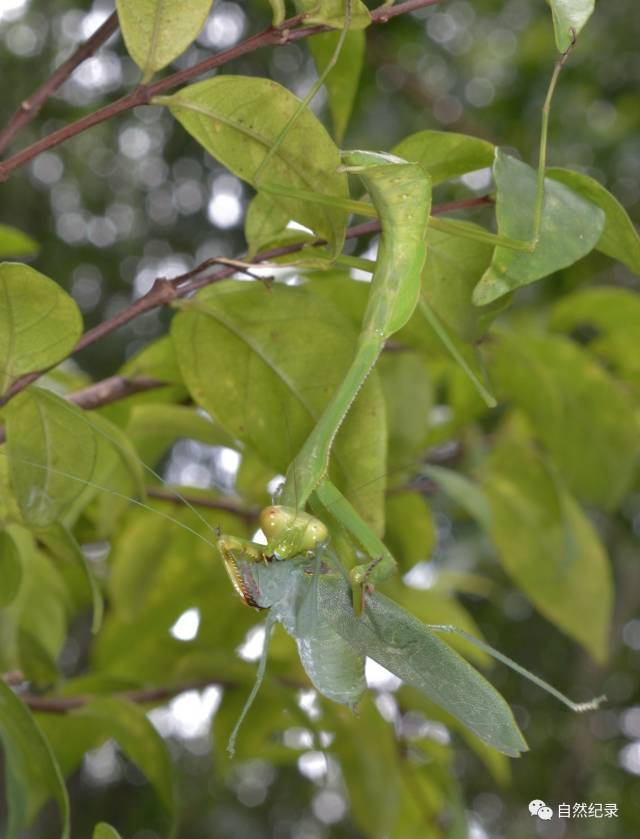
(39, 323)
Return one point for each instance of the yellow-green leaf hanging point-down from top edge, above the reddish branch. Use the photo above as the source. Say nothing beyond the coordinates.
(155, 31)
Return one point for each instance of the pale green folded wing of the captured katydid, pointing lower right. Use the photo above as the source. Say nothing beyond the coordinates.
(406, 647)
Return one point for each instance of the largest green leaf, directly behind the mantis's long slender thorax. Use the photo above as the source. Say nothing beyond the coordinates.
(264, 364)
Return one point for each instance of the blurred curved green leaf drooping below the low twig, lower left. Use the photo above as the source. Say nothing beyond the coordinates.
(129, 726)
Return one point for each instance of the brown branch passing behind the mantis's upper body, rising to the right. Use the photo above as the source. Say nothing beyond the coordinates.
(164, 292)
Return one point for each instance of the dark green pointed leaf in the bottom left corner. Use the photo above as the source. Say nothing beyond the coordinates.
(31, 769)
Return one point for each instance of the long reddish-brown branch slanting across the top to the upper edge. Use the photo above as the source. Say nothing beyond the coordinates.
(286, 33)
